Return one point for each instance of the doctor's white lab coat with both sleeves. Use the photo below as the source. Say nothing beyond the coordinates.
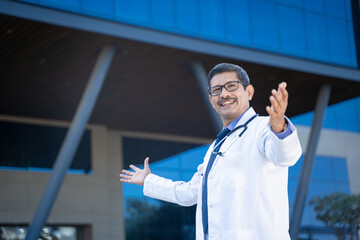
(247, 186)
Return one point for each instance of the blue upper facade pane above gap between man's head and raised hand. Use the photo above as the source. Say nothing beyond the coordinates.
(265, 25)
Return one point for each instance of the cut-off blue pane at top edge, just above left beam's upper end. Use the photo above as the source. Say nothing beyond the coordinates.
(102, 8)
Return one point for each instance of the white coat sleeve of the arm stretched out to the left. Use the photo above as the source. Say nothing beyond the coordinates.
(182, 193)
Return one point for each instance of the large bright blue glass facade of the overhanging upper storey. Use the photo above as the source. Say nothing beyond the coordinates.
(316, 30)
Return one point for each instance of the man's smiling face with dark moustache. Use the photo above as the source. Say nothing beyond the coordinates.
(230, 105)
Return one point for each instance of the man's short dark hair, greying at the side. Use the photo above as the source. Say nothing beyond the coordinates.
(229, 67)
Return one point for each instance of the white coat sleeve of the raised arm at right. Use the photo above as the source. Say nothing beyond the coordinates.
(282, 152)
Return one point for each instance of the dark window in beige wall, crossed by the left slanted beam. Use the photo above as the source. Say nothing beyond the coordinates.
(36, 147)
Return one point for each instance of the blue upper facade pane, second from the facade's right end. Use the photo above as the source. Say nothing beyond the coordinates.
(316, 36)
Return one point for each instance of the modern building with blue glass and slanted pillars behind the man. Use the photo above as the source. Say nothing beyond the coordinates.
(152, 56)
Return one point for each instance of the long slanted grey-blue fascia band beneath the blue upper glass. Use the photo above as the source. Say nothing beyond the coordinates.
(116, 29)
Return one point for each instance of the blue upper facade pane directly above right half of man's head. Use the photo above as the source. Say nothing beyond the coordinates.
(238, 21)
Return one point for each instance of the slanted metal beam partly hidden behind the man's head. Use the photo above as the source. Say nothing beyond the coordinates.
(201, 79)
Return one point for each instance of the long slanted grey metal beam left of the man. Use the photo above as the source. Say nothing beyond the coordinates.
(71, 141)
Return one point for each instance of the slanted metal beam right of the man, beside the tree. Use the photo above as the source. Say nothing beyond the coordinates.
(303, 186)
